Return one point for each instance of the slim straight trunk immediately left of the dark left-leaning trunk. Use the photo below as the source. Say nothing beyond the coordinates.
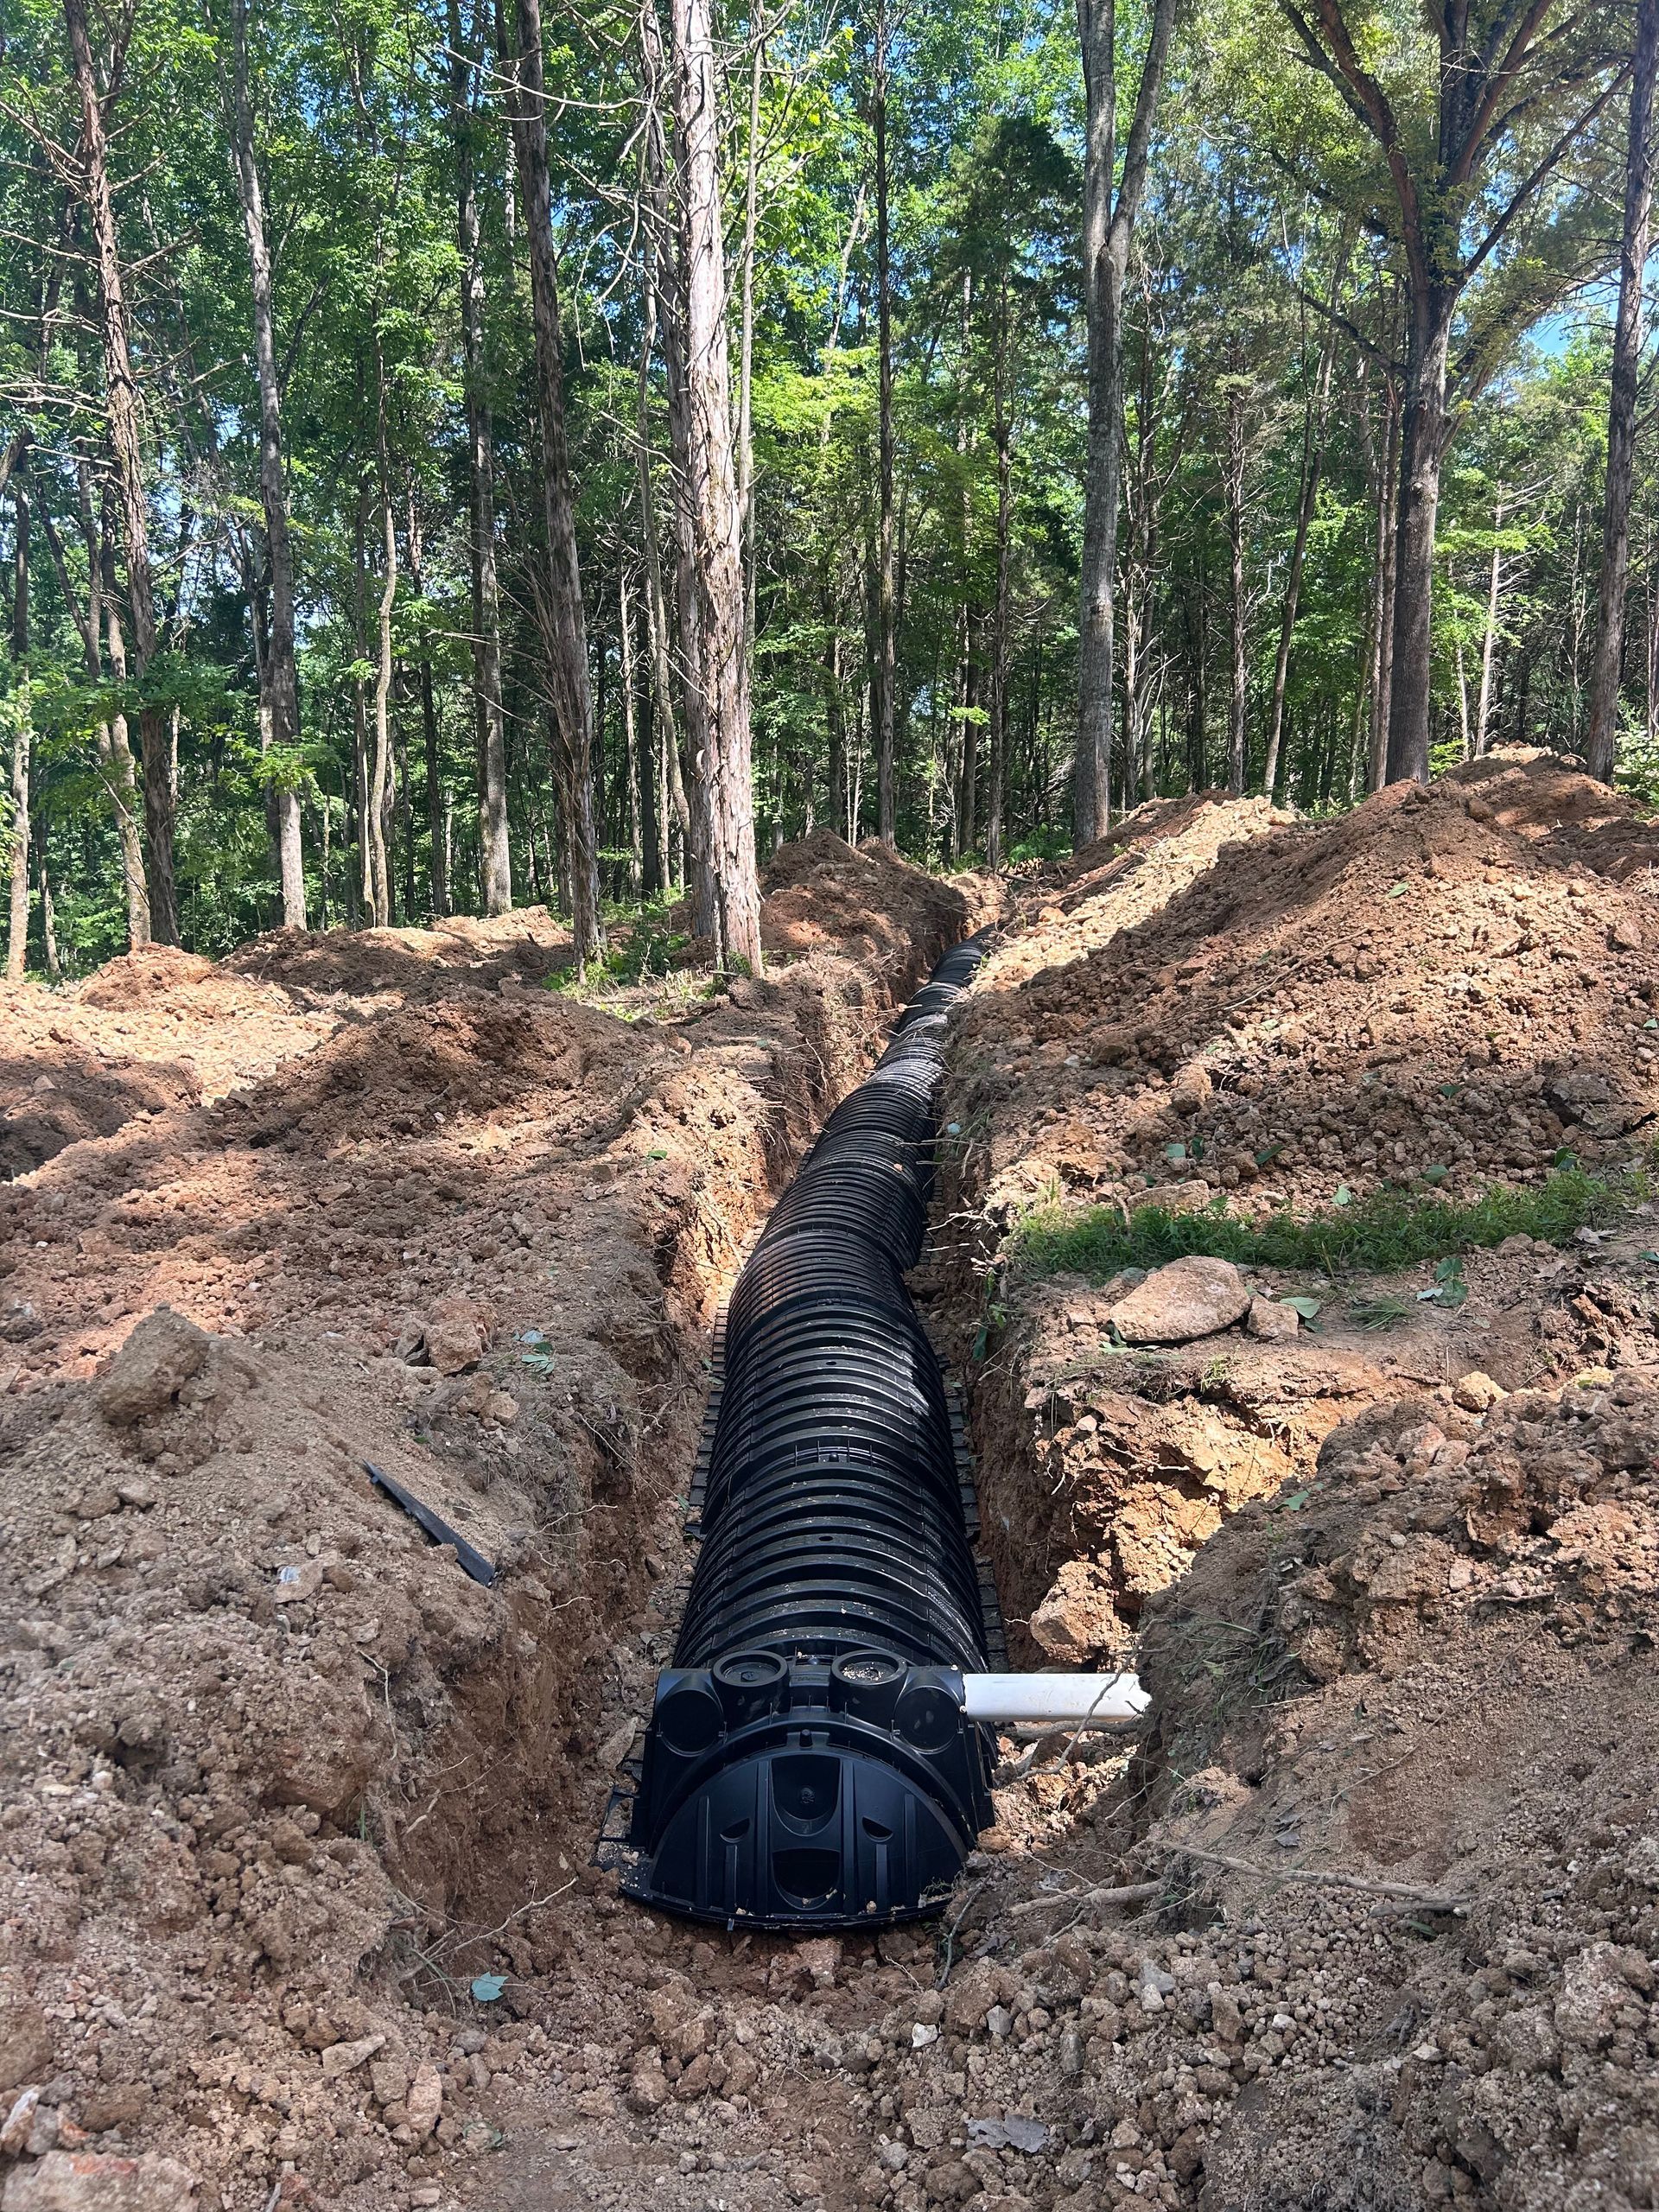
(490, 740)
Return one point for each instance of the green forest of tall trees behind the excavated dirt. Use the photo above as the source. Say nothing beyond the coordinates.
(455, 459)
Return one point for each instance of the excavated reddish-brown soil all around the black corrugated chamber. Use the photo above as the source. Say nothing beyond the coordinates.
(280, 1782)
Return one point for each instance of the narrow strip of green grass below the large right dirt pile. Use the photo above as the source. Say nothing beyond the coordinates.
(1379, 1235)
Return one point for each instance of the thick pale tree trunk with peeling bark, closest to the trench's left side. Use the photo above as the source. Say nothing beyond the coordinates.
(727, 791)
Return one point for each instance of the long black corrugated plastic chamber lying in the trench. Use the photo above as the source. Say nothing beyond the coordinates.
(808, 1762)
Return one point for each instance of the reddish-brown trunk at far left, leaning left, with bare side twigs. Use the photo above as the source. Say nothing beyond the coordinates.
(127, 446)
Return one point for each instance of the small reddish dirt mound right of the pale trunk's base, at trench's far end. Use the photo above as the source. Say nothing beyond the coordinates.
(866, 904)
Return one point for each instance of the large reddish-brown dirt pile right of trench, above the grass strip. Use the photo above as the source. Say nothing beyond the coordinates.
(1432, 983)
